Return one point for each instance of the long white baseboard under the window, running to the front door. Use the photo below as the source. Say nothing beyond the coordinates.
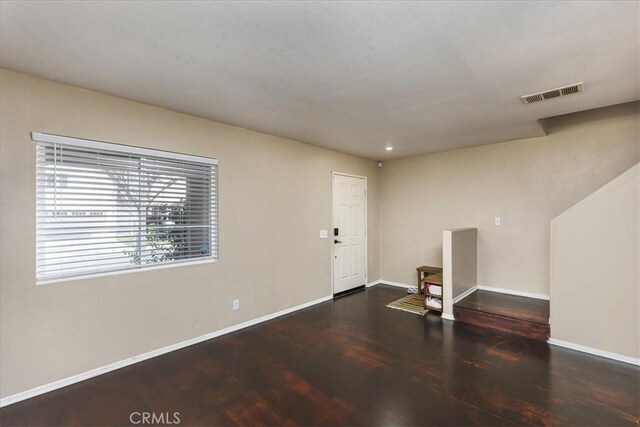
(36, 391)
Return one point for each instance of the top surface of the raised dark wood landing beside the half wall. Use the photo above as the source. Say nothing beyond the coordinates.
(530, 309)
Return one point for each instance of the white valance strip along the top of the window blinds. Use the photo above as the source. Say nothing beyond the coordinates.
(110, 146)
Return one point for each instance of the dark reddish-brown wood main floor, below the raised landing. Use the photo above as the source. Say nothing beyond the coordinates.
(354, 362)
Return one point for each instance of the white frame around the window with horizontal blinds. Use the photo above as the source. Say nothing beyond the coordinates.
(138, 151)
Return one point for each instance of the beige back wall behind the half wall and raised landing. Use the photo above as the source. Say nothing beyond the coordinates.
(526, 183)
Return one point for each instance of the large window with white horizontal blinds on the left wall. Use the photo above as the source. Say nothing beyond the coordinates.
(105, 207)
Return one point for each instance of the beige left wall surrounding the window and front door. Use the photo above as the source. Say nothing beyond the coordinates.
(275, 196)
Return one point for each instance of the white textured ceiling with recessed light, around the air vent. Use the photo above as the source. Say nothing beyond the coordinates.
(353, 76)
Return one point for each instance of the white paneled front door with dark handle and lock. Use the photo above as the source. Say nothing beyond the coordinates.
(349, 232)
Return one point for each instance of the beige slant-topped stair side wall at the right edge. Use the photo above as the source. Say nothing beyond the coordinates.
(595, 262)
